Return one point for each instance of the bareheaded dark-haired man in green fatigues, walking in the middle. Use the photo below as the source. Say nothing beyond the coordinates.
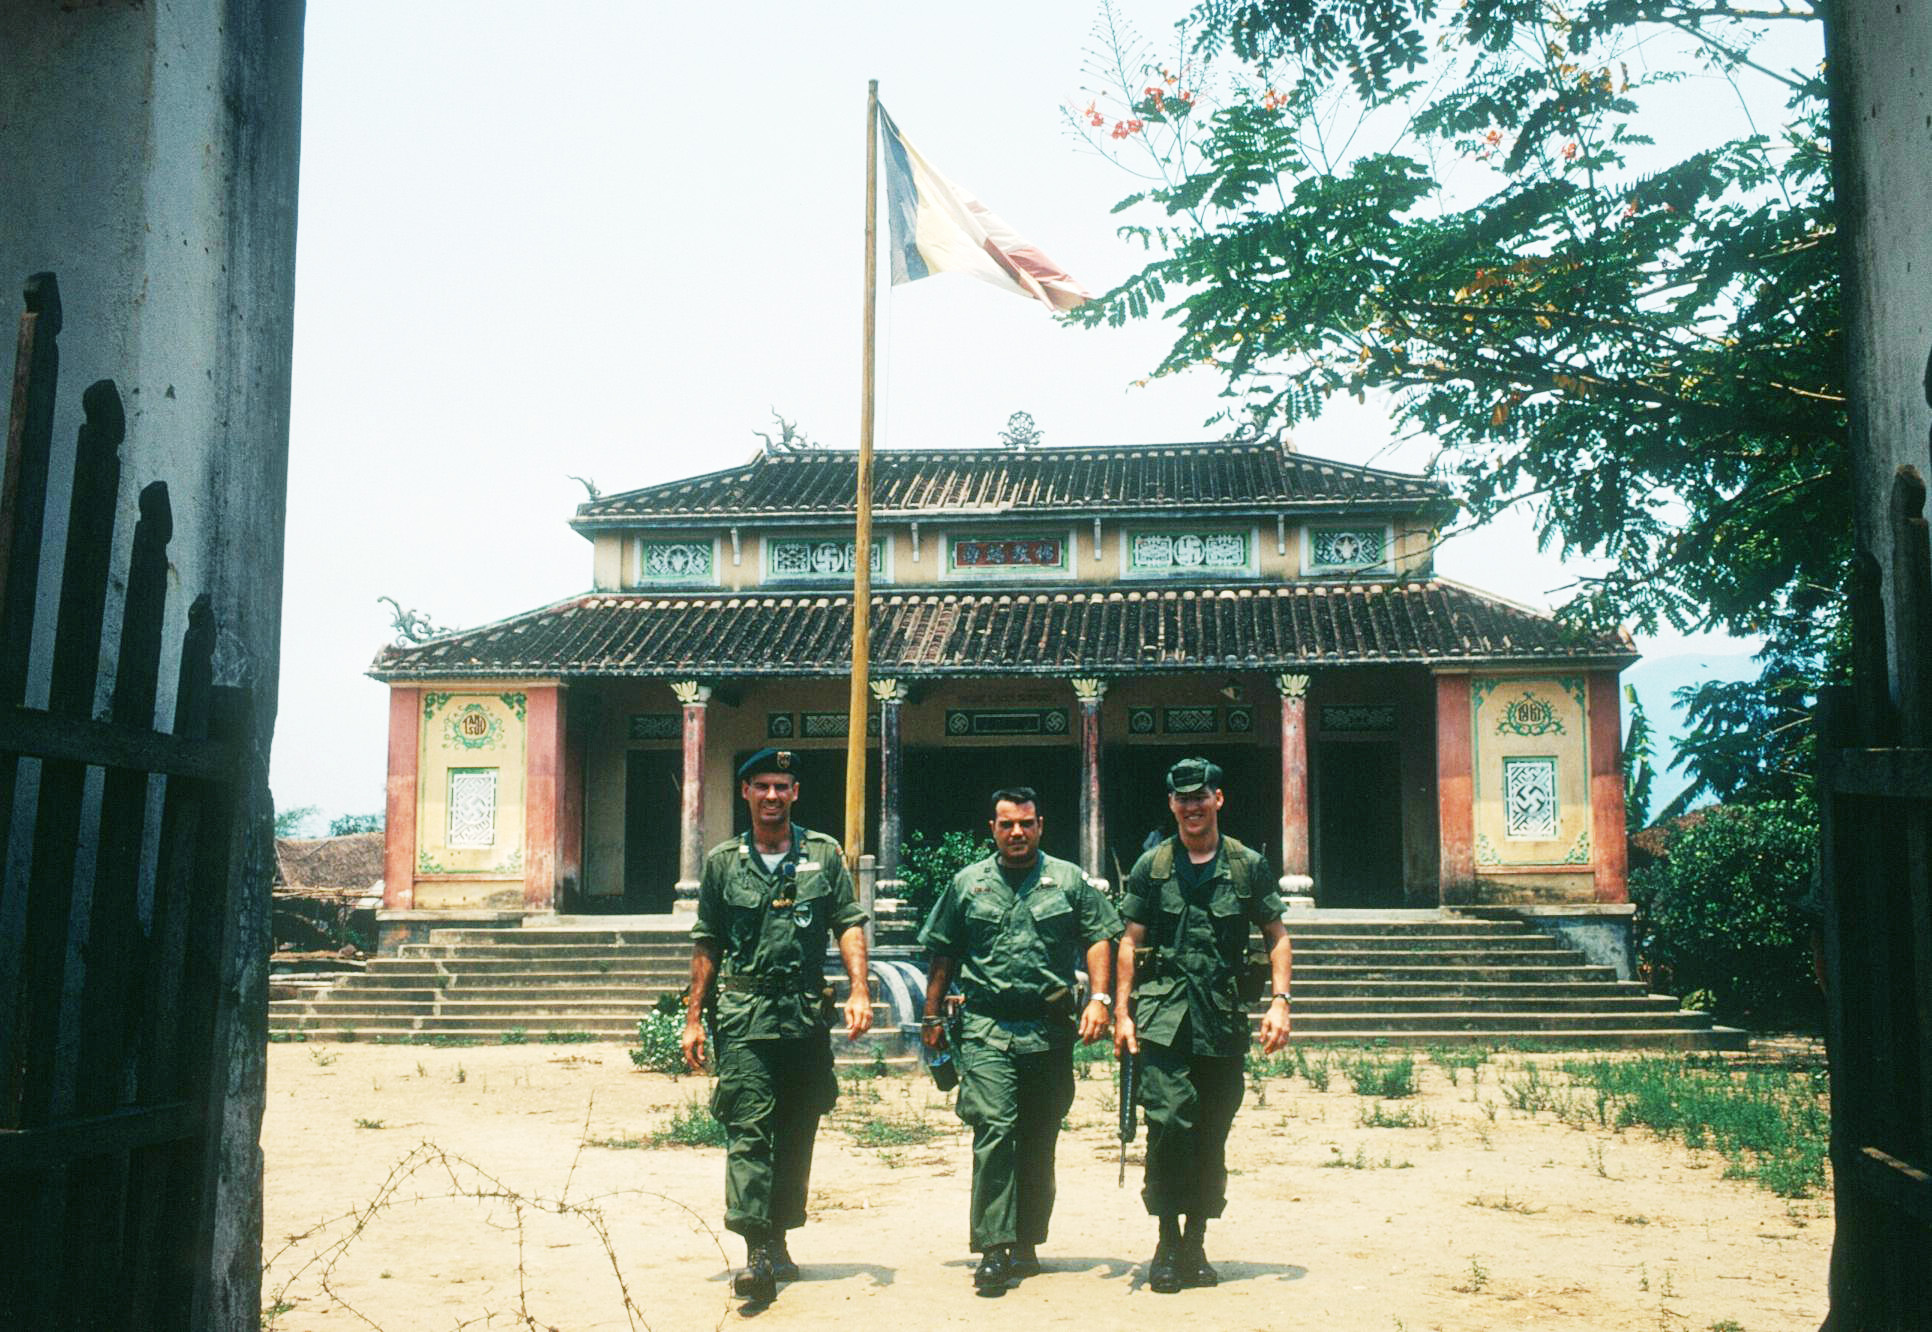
(1013, 929)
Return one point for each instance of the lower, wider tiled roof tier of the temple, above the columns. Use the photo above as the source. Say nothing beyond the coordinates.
(1073, 631)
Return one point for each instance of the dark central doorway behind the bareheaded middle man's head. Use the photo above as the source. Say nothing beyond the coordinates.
(948, 792)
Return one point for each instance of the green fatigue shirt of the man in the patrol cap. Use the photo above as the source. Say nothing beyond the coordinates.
(1201, 941)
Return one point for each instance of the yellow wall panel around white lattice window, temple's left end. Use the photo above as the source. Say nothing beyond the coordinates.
(470, 732)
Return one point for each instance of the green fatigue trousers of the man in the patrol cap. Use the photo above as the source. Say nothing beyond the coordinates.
(1191, 1103)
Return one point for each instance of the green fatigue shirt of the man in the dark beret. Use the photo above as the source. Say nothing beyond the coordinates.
(772, 929)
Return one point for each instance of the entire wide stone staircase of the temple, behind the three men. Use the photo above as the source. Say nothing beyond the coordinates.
(1402, 979)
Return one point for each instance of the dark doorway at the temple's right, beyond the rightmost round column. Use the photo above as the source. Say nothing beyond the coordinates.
(1359, 825)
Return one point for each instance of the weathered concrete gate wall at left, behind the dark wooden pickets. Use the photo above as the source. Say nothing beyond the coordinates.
(150, 159)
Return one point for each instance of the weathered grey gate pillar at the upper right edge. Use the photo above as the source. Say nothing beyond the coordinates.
(1881, 57)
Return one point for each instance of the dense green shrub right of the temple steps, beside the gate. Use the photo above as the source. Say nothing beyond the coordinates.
(1722, 912)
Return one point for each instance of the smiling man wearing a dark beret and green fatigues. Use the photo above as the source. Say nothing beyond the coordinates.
(766, 906)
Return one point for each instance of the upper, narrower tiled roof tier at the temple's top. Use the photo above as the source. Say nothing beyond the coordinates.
(915, 482)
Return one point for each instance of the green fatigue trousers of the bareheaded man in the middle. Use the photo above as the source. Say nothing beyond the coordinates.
(1015, 1105)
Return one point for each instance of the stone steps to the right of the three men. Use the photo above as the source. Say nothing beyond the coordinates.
(1444, 979)
